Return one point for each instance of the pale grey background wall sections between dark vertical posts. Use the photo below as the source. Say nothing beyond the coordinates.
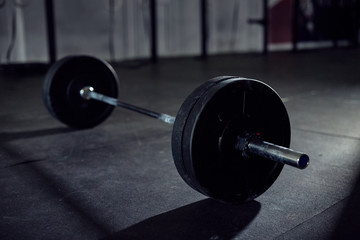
(83, 26)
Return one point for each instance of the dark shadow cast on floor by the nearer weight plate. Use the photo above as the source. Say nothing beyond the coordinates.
(206, 219)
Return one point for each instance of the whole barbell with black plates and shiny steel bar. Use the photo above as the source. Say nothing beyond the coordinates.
(230, 138)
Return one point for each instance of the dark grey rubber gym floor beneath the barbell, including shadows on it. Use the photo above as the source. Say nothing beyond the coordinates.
(118, 180)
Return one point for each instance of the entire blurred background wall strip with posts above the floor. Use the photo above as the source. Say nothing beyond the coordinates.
(45, 30)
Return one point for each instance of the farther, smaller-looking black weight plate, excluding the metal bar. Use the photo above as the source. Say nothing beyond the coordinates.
(62, 85)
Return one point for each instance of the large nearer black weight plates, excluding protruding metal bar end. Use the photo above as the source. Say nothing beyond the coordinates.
(228, 109)
